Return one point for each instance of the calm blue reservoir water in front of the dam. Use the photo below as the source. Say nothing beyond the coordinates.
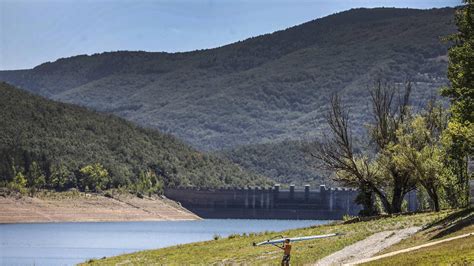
(71, 243)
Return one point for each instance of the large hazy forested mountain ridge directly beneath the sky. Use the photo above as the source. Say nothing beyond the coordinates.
(267, 88)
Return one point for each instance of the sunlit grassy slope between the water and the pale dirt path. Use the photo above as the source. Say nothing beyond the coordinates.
(240, 250)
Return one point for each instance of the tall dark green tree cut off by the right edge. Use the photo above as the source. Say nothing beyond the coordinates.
(461, 93)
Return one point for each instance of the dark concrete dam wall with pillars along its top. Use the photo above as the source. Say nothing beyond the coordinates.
(268, 203)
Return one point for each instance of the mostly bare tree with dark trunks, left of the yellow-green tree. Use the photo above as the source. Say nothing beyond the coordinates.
(380, 175)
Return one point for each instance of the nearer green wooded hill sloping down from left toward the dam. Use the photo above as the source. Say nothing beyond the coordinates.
(40, 137)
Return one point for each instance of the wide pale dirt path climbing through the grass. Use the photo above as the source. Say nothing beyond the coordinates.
(368, 247)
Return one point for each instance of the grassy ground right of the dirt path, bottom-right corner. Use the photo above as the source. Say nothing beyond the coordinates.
(459, 251)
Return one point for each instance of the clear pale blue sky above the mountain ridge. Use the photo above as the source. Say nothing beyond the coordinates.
(37, 31)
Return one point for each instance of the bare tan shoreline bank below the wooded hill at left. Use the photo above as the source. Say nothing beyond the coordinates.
(84, 207)
